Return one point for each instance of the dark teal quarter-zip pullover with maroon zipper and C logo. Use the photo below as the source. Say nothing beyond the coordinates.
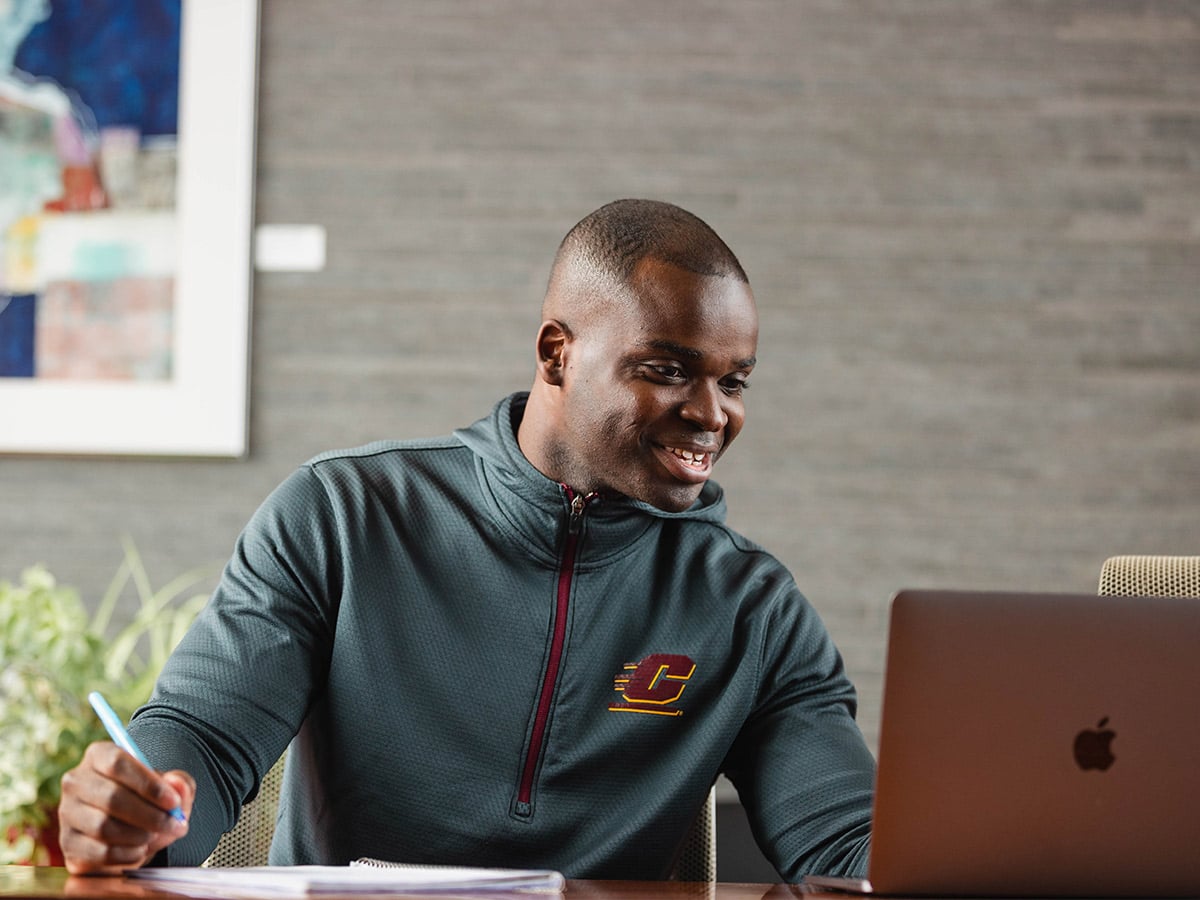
(476, 667)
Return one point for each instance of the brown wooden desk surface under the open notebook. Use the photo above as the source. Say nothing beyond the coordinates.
(19, 883)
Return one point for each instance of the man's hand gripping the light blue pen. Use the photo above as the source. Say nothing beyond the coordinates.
(116, 813)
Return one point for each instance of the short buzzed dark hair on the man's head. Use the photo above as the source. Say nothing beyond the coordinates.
(617, 237)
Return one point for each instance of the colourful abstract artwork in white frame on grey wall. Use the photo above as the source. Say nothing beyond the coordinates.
(127, 202)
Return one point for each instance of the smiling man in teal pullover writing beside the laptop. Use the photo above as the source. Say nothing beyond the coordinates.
(531, 644)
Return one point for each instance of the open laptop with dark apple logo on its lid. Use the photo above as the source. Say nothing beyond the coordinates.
(1037, 745)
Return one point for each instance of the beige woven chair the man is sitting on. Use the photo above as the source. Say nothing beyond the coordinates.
(250, 841)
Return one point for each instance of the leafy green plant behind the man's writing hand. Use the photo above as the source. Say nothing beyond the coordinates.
(53, 656)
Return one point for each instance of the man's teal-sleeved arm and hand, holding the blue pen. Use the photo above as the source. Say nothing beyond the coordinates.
(229, 700)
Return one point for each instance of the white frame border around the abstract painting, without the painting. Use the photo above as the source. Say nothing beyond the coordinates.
(203, 409)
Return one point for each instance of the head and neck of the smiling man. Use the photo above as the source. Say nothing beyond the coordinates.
(646, 347)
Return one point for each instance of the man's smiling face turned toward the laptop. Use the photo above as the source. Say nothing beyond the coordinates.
(652, 391)
